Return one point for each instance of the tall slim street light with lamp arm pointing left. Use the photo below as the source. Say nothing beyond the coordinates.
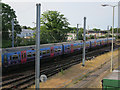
(104, 5)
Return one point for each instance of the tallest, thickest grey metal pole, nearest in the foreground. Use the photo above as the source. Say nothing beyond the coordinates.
(37, 59)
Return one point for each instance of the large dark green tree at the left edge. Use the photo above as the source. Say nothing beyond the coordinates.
(7, 15)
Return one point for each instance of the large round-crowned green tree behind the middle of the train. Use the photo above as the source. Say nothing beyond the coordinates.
(56, 25)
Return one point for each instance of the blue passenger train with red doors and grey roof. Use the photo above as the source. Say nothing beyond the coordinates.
(24, 54)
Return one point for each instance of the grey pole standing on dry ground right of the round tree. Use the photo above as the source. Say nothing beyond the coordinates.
(84, 42)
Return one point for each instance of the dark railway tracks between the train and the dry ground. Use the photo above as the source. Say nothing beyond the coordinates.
(26, 79)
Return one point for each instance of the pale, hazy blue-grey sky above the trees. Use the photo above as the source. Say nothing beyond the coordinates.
(74, 10)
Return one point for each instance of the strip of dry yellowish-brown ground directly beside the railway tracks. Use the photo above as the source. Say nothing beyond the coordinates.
(76, 72)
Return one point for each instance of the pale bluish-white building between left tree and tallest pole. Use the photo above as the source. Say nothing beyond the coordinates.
(26, 33)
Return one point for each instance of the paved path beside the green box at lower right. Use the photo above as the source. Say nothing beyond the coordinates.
(91, 81)
